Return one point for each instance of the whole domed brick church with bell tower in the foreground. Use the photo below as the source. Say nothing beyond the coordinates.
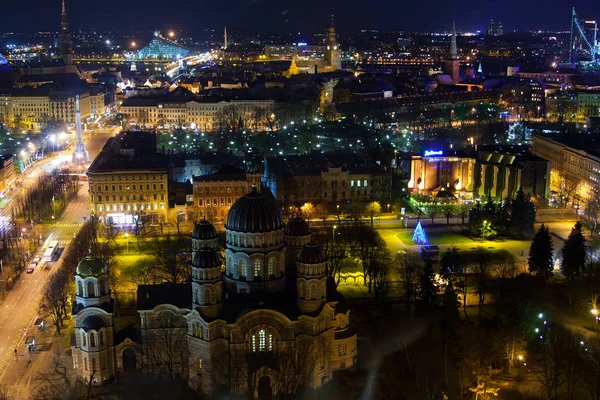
(259, 318)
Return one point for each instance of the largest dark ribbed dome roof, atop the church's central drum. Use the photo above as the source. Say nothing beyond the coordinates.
(254, 212)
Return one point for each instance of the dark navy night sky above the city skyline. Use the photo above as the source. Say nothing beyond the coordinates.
(287, 16)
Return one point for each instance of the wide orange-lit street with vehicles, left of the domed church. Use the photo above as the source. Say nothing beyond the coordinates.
(20, 307)
